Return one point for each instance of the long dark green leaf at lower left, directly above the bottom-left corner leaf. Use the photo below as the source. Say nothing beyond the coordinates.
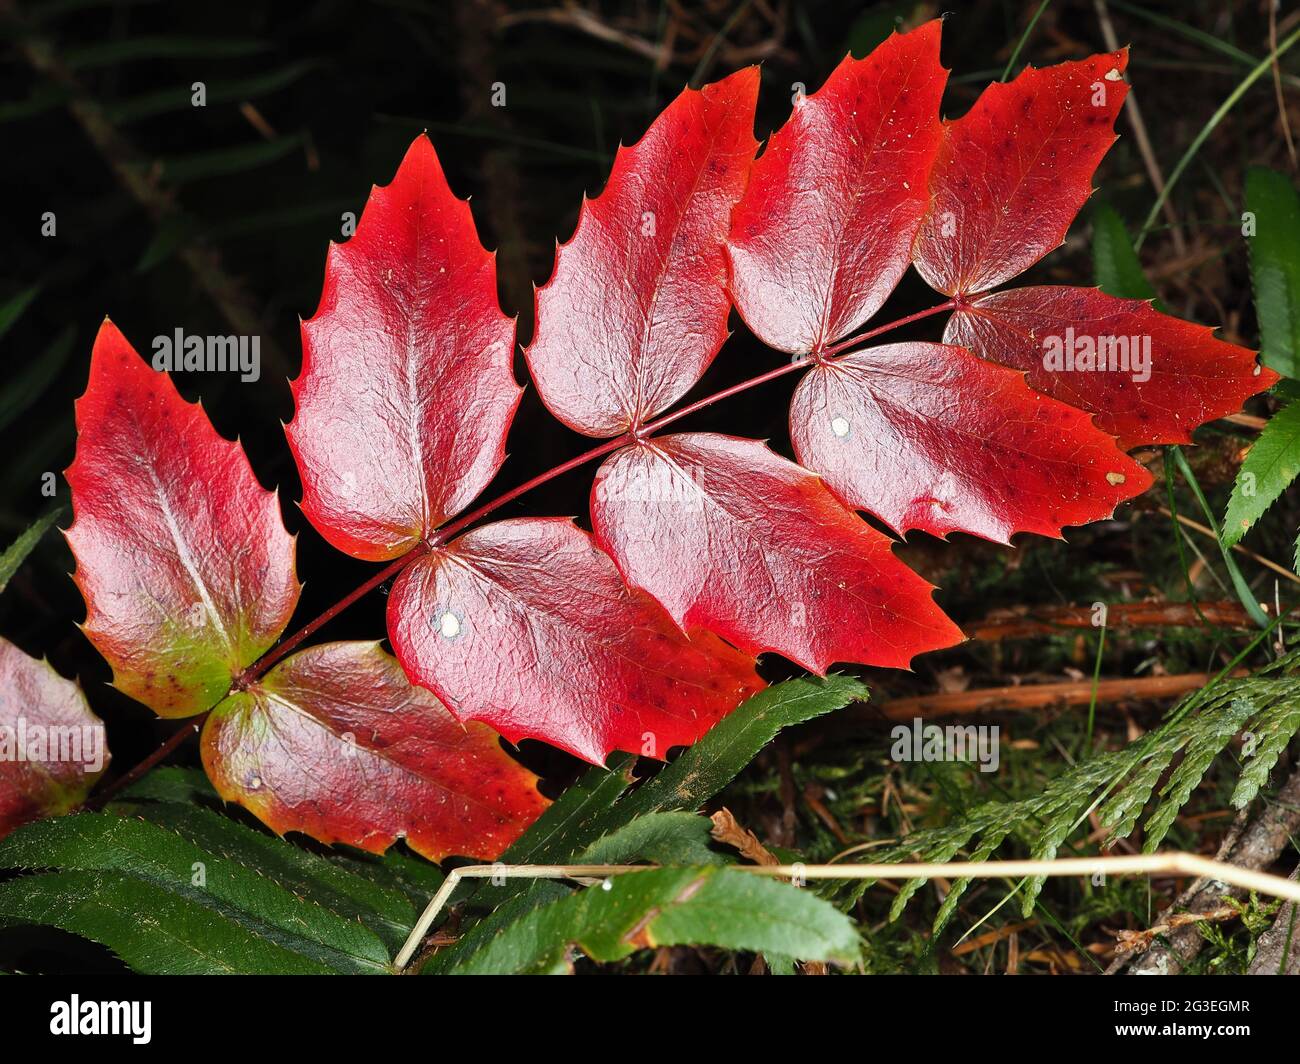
(99, 842)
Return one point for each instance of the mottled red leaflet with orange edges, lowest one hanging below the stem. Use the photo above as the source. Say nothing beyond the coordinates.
(335, 742)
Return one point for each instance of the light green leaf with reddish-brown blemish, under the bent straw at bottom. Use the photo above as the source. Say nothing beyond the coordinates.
(671, 907)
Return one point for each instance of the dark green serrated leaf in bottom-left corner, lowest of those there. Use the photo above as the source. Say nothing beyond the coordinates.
(151, 929)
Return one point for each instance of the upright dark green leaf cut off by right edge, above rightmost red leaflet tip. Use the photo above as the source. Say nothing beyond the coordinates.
(1276, 267)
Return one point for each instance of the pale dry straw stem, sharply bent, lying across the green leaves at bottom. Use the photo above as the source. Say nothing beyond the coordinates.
(1145, 864)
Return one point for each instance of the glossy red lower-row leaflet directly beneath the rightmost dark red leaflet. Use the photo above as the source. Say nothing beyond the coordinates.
(929, 436)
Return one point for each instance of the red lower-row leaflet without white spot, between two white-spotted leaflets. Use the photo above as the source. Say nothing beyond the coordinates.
(735, 539)
